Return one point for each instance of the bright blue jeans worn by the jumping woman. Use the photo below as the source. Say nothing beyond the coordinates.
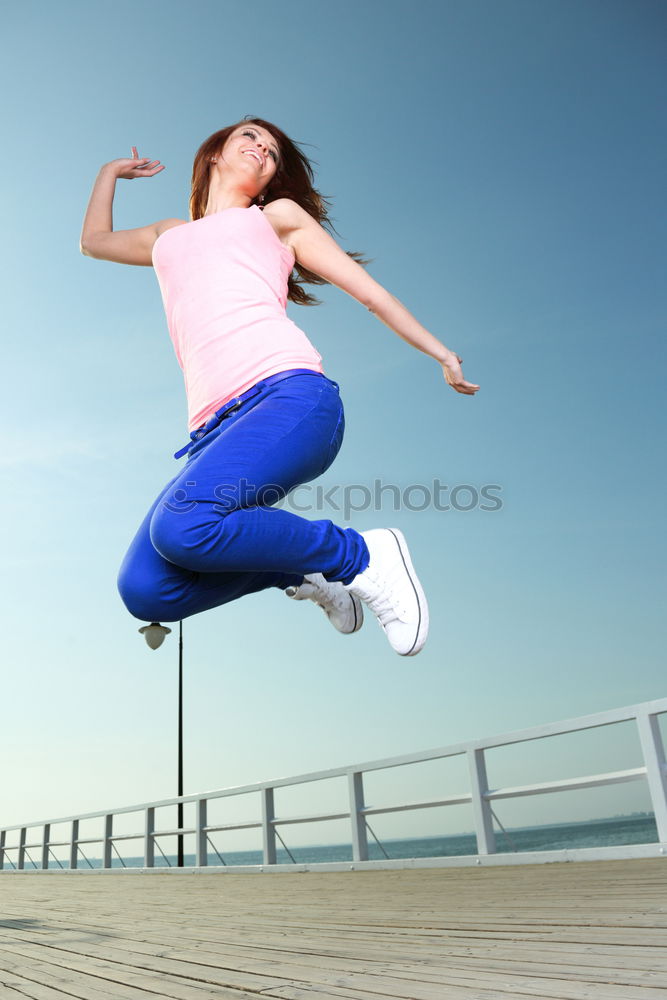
(212, 535)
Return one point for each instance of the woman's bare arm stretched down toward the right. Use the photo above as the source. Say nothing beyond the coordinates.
(318, 251)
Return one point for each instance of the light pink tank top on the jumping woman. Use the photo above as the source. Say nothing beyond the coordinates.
(223, 280)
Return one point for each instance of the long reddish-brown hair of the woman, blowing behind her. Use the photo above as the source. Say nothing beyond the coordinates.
(293, 179)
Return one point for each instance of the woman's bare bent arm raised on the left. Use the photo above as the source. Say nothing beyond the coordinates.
(98, 240)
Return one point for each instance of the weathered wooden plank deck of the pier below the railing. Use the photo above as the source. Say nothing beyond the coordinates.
(566, 931)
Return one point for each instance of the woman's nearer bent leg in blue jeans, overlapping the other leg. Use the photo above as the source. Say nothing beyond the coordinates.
(217, 517)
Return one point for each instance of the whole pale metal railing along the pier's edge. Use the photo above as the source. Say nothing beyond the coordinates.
(479, 795)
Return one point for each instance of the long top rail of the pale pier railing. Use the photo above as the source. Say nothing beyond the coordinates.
(610, 717)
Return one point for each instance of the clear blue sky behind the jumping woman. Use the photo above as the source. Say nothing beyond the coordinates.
(503, 162)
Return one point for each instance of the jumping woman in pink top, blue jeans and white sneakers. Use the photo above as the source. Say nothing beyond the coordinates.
(263, 416)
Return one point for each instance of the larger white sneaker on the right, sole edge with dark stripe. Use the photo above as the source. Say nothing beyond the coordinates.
(390, 588)
